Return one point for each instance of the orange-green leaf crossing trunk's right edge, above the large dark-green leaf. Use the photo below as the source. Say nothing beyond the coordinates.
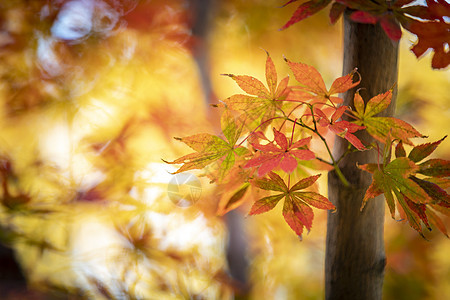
(380, 127)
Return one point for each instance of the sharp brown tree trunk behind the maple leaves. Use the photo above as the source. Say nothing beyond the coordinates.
(355, 258)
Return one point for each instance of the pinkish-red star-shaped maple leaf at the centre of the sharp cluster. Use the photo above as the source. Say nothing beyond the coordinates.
(283, 154)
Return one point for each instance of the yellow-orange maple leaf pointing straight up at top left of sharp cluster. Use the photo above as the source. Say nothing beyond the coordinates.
(261, 104)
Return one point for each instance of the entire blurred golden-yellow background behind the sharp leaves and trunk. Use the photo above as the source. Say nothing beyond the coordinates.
(92, 93)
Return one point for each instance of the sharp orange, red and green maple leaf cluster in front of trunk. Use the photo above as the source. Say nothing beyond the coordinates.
(248, 165)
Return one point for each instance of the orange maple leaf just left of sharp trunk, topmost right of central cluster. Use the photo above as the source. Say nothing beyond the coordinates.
(313, 86)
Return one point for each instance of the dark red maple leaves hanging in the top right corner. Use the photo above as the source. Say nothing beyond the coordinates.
(428, 22)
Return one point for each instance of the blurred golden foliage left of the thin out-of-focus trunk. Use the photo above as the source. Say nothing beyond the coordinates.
(90, 98)
